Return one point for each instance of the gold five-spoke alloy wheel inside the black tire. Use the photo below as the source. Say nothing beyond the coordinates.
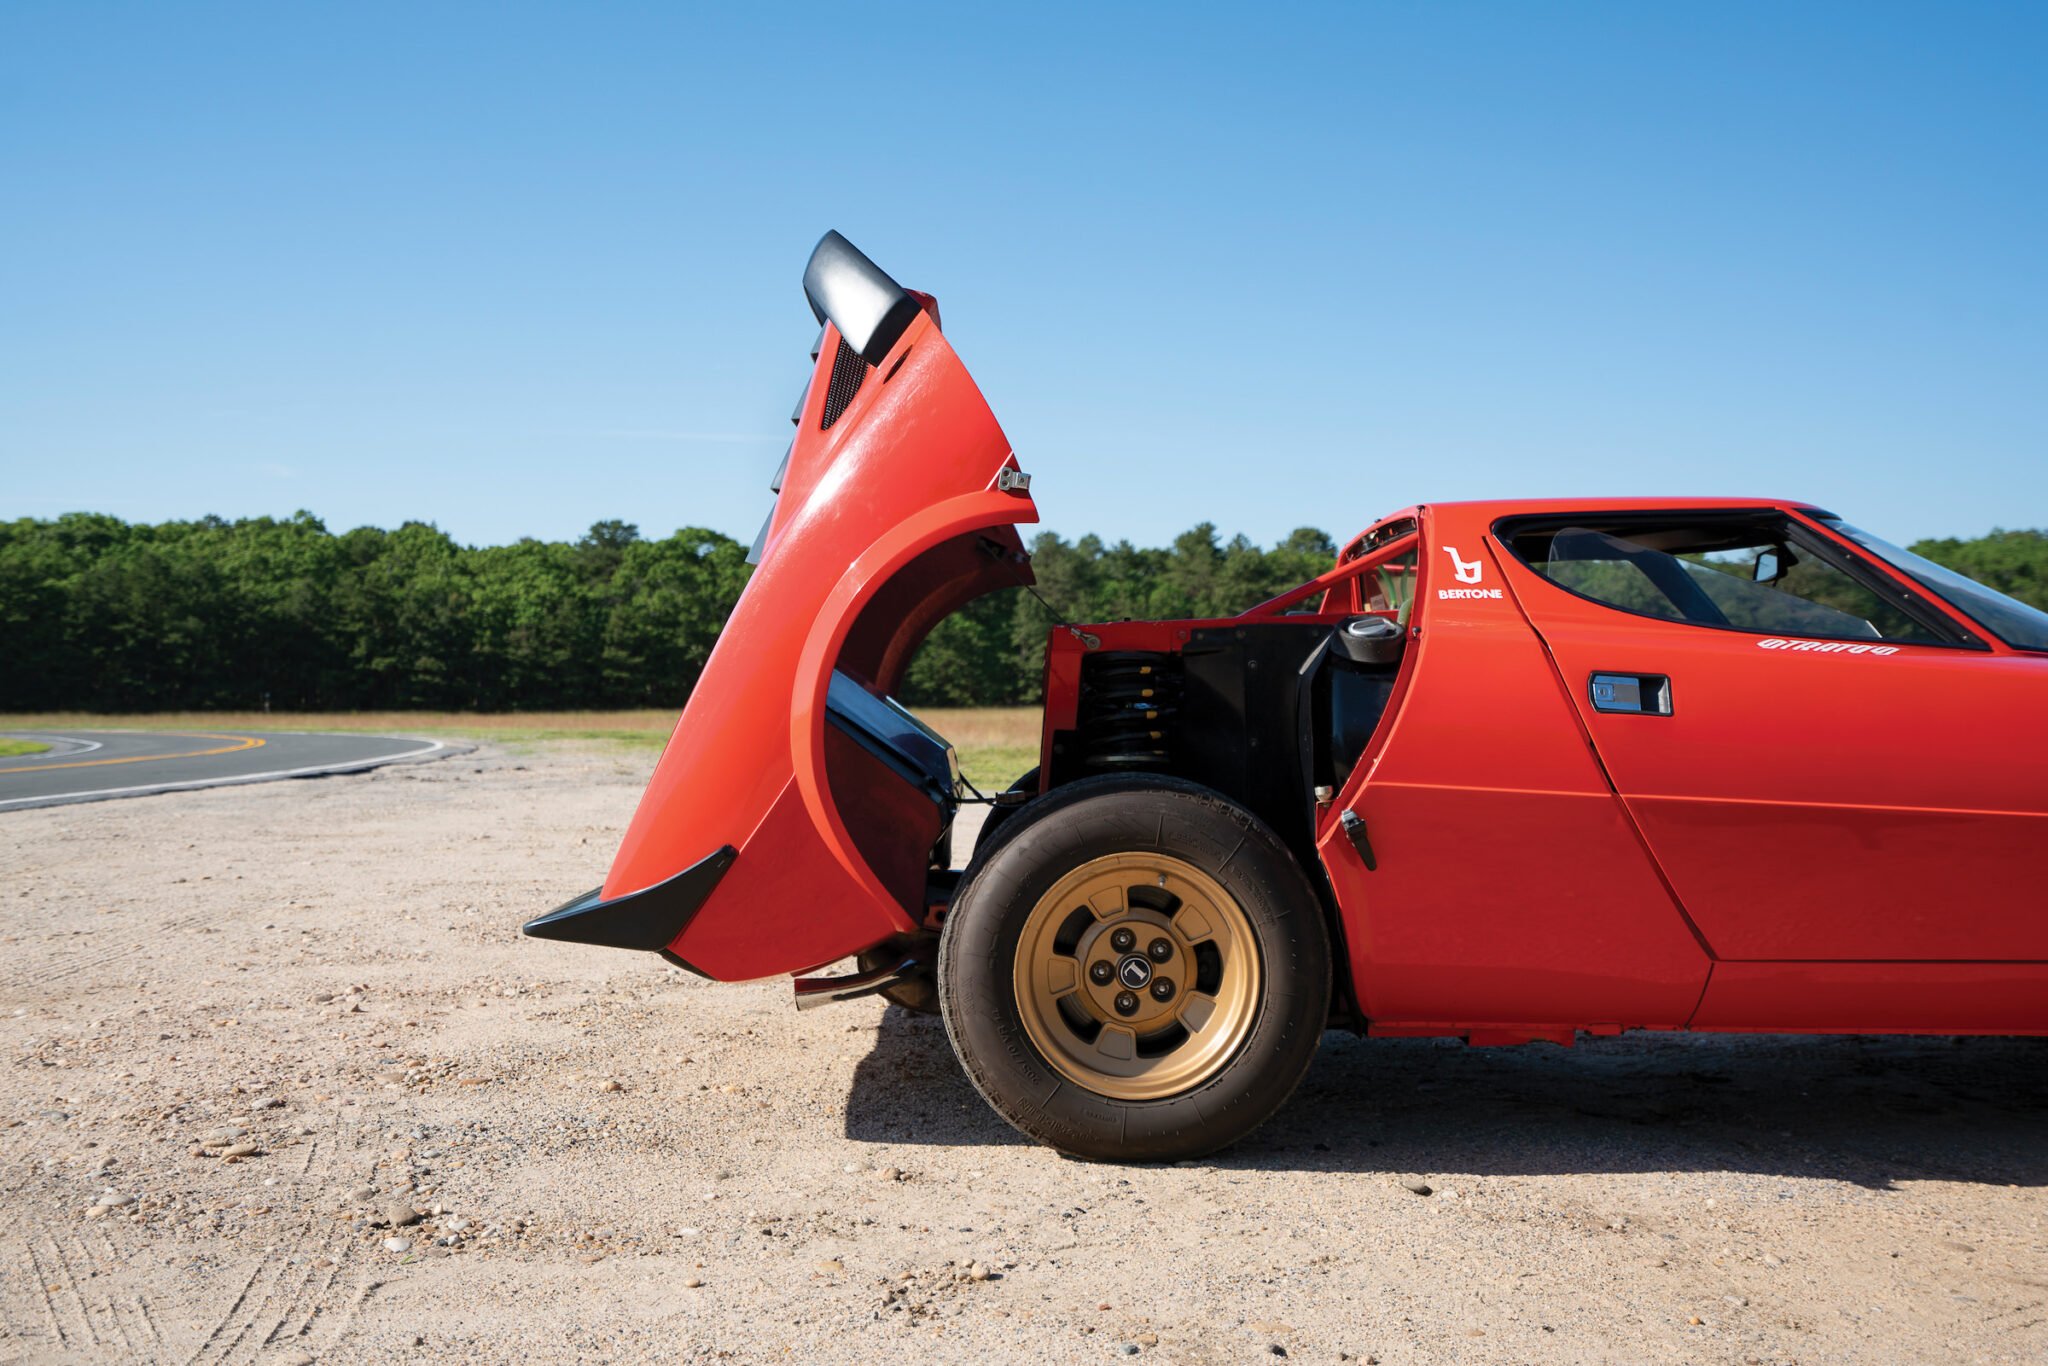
(1138, 976)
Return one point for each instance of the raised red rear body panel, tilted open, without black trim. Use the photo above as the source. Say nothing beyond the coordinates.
(888, 521)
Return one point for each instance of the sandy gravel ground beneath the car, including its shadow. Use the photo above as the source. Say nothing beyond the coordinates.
(286, 1084)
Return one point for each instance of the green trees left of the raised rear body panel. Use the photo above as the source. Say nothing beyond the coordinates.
(108, 615)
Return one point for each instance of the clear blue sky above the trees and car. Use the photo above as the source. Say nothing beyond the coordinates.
(515, 269)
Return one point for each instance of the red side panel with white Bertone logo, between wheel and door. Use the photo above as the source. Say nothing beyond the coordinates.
(1506, 888)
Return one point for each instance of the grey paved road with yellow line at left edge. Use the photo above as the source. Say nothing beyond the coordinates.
(99, 765)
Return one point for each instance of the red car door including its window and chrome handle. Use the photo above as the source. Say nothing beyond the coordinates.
(1826, 765)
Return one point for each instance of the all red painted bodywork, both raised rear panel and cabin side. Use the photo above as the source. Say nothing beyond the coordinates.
(1809, 843)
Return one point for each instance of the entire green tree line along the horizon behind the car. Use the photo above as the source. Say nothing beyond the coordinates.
(110, 615)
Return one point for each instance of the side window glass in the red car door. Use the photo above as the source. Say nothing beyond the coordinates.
(1740, 574)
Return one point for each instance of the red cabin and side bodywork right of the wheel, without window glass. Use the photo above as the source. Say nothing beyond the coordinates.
(1809, 843)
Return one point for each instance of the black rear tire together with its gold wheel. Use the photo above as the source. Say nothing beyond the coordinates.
(1136, 972)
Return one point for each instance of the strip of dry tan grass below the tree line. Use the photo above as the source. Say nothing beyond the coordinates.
(996, 742)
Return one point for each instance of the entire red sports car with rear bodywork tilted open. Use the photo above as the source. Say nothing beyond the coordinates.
(1506, 771)
